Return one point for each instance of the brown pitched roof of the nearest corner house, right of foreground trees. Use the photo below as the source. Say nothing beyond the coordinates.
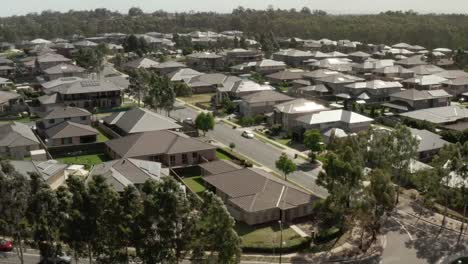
(261, 192)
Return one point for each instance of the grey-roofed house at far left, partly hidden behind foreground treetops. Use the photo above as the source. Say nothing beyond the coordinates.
(52, 171)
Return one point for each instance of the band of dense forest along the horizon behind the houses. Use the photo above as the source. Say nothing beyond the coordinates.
(429, 30)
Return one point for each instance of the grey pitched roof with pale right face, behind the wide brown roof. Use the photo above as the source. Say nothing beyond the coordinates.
(140, 120)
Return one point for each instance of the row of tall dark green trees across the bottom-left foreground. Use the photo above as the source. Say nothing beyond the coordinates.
(156, 223)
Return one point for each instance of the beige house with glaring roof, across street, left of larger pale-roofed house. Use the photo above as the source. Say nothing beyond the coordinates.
(285, 114)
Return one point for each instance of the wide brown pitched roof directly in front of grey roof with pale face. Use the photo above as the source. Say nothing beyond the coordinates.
(156, 142)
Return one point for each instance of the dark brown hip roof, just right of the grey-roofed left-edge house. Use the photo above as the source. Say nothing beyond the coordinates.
(70, 129)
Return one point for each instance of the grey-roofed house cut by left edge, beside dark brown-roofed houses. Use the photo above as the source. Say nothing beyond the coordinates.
(17, 140)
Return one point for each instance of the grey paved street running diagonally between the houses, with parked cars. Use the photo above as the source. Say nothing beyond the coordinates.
(261, 152)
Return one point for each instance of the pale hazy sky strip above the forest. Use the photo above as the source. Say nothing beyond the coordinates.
(18, 7)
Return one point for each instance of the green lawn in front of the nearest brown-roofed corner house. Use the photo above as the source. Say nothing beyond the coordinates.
(267, 236)
